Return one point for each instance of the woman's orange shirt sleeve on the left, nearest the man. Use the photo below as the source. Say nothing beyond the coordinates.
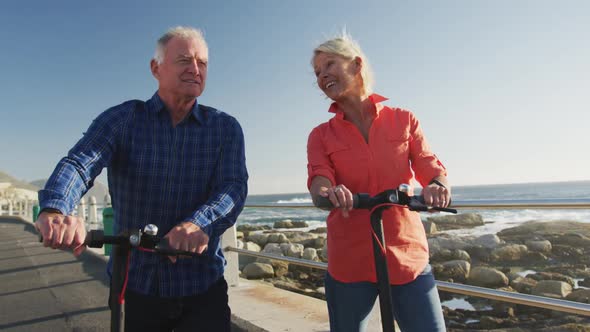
(318, 161)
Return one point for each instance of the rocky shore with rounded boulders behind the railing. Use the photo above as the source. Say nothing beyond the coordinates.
(538, 258)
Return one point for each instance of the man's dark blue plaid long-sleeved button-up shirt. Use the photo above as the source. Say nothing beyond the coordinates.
(162, 175)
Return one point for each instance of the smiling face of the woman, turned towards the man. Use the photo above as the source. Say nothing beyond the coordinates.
(337, 76)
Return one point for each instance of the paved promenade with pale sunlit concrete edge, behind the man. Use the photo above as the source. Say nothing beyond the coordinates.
(51, 290)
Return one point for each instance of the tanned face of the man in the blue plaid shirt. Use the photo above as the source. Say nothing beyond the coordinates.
(183, 71)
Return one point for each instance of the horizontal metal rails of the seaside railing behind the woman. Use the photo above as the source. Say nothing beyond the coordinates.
(493, 294)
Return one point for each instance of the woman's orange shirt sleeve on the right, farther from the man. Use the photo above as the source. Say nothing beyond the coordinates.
(425, 164)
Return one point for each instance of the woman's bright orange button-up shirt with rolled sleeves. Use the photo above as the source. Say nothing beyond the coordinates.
(397, 151)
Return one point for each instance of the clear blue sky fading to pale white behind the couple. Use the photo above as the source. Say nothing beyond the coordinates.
(502, 88)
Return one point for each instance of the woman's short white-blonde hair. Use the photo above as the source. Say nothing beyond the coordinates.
(346, 47)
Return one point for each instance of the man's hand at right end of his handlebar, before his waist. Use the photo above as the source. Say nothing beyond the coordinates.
(187, 237)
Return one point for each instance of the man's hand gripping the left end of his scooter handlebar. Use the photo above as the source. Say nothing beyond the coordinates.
(62, 232)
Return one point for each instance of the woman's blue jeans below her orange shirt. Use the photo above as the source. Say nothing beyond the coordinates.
(416, 305)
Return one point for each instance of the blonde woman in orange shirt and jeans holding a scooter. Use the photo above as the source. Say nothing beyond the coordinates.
(369, 147)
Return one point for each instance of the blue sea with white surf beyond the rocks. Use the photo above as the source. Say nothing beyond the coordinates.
(298, 206)
